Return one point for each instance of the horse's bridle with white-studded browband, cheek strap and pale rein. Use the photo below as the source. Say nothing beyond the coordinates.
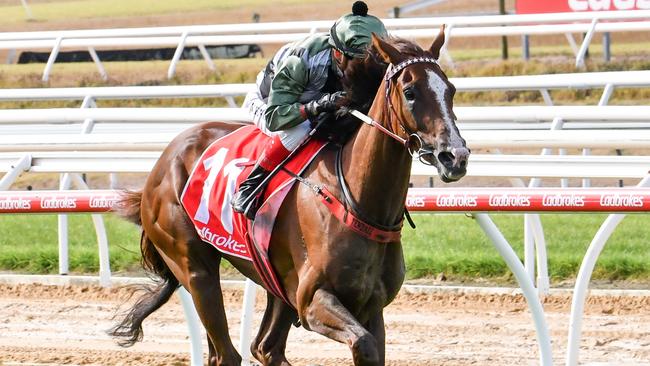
(413, 143)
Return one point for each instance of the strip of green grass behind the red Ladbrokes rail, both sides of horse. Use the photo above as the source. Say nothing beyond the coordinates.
(449, 244)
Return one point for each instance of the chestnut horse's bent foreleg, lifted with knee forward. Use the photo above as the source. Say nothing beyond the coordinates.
(326, 315)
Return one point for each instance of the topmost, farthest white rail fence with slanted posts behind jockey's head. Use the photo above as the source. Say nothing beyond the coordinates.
(276, 33)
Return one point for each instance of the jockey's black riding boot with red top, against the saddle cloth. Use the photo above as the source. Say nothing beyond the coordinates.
(244, 200)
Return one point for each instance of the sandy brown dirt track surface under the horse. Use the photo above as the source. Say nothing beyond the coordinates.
(50, 325)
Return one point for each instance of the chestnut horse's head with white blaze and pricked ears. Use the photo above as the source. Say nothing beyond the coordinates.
(419, 99)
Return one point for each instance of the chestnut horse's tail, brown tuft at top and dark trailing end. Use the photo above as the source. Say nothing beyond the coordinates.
(129, 330)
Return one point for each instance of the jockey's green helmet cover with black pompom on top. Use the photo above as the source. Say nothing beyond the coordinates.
(351, 34)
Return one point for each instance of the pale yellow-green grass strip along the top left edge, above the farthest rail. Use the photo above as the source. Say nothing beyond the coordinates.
(61, 10)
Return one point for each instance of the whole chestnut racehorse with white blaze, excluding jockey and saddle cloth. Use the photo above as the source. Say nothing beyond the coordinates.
(337, 281)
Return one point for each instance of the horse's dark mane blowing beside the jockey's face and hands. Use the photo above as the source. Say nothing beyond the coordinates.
(361, 85)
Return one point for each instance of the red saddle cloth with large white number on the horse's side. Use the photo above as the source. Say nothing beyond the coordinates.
(213, 183)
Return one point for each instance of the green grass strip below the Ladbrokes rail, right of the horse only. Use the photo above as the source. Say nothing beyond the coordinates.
(456, 246)
